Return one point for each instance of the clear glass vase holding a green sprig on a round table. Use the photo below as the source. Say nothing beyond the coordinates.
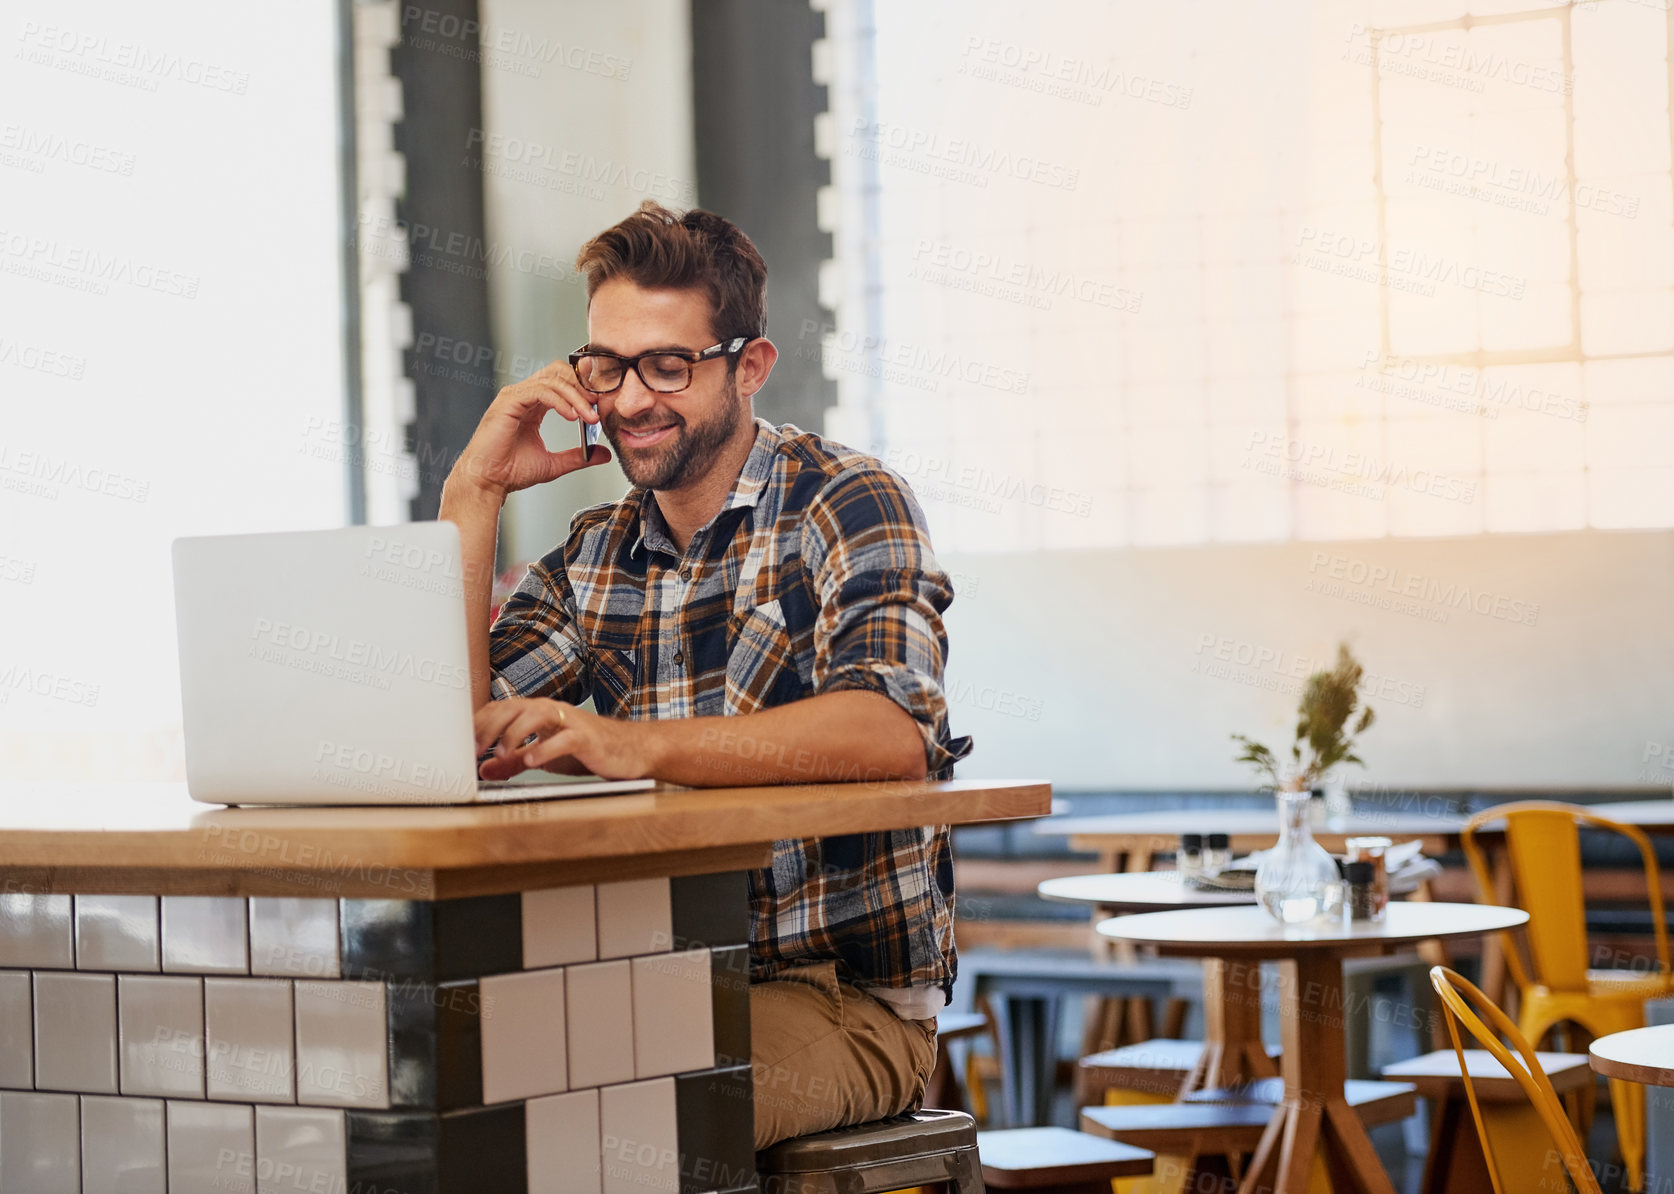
(1298, 880)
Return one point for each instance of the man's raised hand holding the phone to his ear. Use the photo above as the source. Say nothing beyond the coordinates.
(506, 453)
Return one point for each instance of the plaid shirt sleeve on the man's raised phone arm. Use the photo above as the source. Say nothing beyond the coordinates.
(535, 647)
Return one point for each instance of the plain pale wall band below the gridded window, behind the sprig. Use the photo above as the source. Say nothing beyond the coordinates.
(1129, 669)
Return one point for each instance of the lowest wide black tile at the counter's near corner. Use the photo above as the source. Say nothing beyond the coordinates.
(478, 1151)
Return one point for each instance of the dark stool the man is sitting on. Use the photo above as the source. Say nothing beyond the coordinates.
(928, 1148)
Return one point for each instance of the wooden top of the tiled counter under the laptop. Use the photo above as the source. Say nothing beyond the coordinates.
(155, 838)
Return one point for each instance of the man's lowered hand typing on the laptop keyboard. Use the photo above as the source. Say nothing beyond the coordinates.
(570, 741)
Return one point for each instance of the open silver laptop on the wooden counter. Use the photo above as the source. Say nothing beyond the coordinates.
(329, 667)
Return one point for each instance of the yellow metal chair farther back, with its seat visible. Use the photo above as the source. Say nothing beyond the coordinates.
(1543, 845)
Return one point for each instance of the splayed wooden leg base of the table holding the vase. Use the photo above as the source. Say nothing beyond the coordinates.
(1315, 1116)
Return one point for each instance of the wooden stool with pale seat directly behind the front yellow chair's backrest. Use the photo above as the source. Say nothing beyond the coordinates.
(1456, 1163)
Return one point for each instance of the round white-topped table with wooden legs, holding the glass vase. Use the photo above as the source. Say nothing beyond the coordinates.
(1315, 1118)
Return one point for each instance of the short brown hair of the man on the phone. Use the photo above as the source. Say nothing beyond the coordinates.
(662, 250)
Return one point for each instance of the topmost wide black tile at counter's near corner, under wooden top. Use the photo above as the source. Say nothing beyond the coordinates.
(434, 942)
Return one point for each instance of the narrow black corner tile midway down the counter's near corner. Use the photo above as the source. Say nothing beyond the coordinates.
(436, 1044)
